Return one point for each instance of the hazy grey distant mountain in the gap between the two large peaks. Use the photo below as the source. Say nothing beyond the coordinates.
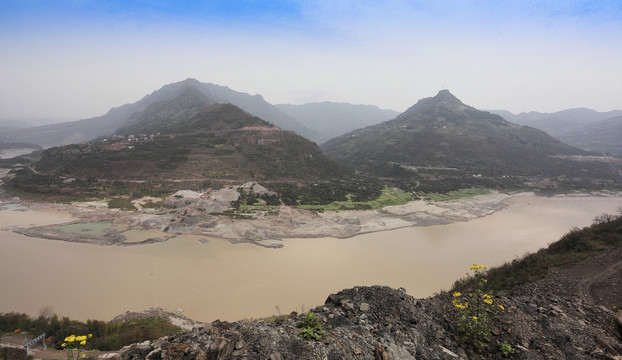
(330, 119)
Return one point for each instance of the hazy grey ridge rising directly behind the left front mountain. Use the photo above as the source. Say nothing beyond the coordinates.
(88, 129)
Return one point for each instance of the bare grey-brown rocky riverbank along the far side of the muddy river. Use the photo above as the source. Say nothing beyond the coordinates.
(94, 223)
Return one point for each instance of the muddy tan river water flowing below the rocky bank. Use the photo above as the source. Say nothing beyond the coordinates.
(220, 280)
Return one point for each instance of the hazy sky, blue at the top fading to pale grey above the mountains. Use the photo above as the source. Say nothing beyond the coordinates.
(62, 58)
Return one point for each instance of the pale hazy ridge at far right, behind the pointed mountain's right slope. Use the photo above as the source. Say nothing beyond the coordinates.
(584, 128)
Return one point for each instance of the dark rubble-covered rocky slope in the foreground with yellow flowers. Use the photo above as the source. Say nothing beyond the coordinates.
(550, 319)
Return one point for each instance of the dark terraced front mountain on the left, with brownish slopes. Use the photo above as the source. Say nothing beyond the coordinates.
(191, 139)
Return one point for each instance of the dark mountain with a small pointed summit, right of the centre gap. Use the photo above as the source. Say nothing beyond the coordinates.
(441, 139)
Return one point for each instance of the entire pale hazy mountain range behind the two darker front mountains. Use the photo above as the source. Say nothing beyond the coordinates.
(318, 122)
